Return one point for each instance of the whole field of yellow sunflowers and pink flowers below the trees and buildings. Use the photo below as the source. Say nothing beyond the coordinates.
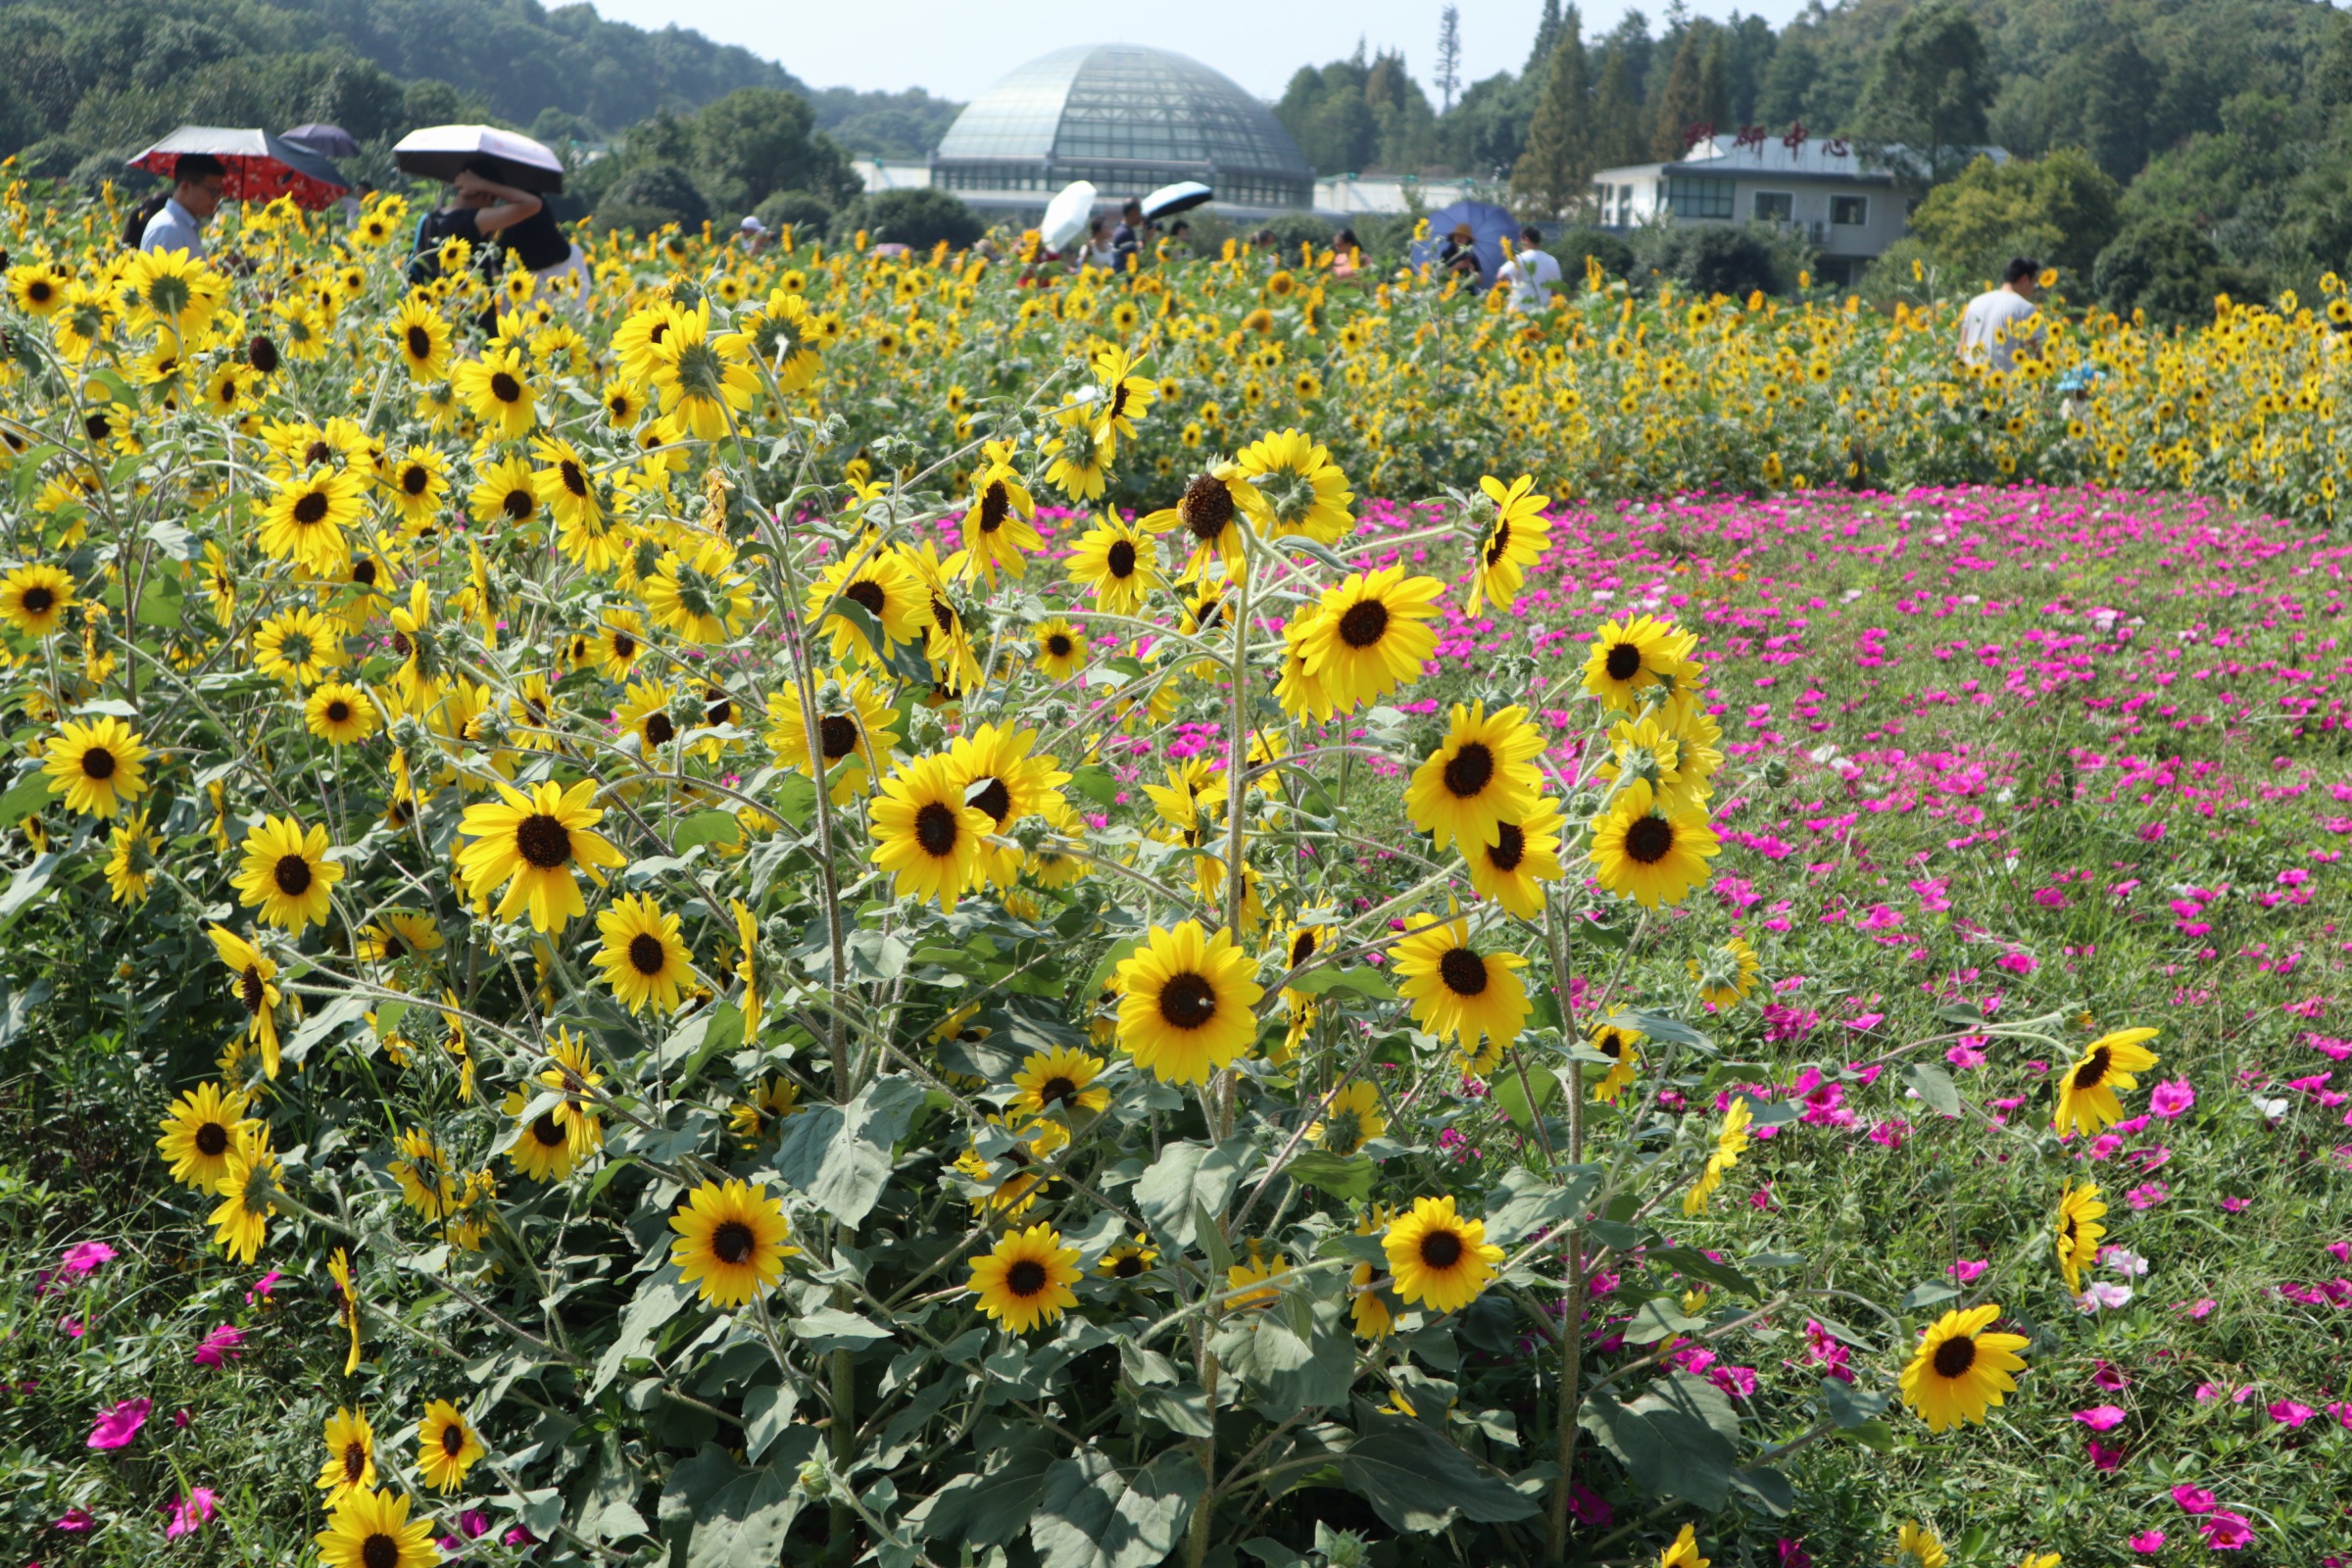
(864, 909)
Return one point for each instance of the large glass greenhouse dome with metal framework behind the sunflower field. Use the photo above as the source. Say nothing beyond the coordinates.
(1123, 105)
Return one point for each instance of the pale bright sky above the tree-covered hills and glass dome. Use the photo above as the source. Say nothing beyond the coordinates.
(958, 48)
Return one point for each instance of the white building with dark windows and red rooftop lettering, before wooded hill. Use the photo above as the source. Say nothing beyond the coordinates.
(1819, 189)
